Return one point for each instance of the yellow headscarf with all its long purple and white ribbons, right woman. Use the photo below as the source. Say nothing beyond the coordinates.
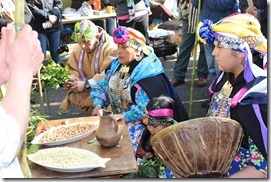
(242, 32)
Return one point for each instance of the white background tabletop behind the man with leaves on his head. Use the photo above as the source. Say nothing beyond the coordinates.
(91, 17)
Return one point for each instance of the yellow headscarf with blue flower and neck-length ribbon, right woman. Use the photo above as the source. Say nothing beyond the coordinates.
(240, 32)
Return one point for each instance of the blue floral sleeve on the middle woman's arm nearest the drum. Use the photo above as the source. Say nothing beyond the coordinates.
(136, 111)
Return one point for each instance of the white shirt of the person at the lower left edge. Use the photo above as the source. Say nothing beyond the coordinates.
(10, 139)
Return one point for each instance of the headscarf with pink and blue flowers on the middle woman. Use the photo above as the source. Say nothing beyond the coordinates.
(122, 35)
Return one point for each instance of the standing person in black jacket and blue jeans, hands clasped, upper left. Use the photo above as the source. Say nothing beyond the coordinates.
(47, 22)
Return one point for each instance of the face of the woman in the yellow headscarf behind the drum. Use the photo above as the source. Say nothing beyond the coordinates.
(227, 59)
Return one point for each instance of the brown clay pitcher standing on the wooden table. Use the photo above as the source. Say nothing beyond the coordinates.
(108, 133)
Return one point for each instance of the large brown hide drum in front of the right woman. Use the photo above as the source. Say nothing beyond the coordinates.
(201, 147)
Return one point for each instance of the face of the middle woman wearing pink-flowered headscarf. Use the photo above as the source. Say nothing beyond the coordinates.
(125, 53)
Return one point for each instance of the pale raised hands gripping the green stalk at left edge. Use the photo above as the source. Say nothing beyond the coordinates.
(23, 55)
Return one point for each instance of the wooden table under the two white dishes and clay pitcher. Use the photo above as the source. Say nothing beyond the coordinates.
(122, 158)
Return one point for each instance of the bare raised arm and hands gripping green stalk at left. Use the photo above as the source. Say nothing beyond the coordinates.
(19, 71)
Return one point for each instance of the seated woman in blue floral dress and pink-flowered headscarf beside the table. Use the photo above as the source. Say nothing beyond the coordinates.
(133, 78)
